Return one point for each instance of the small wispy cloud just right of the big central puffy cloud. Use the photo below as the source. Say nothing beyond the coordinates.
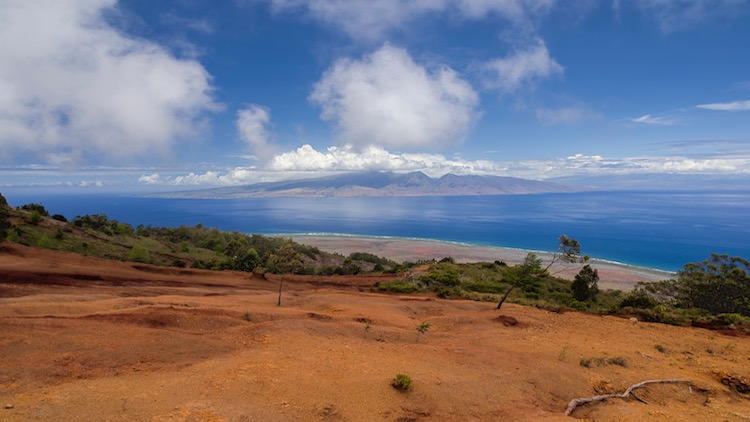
(522, 68)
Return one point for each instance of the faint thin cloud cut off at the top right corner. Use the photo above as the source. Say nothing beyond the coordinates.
(675, 15)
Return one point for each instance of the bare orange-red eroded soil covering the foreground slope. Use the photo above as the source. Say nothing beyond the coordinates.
(88, 339)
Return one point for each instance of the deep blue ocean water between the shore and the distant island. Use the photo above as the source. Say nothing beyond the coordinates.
(662, 230)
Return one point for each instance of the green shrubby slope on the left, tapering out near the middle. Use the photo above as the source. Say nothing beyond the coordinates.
(196, 246)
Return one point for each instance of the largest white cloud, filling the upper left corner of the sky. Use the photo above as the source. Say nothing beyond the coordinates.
(72, 86)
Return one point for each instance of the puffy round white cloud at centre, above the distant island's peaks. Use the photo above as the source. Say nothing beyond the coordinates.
(387, 99)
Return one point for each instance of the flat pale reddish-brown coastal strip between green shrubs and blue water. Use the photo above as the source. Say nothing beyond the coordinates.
(612, 275)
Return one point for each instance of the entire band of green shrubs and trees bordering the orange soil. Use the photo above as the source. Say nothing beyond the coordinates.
(714, 293)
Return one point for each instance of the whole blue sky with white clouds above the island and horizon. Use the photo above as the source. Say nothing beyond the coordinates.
(177, 94)
